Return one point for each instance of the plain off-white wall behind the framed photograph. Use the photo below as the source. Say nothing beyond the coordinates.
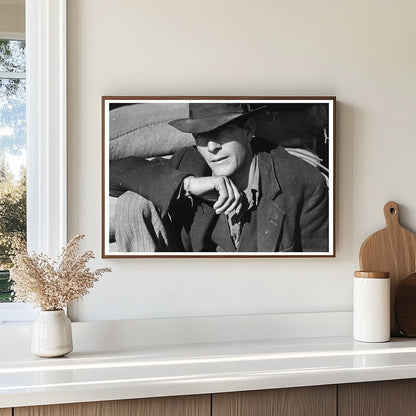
(361, 51)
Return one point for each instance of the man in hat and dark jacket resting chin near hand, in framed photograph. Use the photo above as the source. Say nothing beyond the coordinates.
(222, 195)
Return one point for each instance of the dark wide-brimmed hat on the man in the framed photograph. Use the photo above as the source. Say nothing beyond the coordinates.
(205, 117)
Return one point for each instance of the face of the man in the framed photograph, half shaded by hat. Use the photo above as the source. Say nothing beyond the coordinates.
(227, 150)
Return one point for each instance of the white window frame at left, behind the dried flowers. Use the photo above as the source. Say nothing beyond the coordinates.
(46, 133)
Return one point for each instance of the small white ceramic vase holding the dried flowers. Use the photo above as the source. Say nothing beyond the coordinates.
(52, 334)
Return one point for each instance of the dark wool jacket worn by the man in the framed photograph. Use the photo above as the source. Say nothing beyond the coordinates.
(291, 216)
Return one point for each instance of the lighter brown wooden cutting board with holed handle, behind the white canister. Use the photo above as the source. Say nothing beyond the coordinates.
(393, 250)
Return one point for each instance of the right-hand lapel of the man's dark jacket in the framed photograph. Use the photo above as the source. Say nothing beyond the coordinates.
(270, 217)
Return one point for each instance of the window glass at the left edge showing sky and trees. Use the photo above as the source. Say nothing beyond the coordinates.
(12, 156)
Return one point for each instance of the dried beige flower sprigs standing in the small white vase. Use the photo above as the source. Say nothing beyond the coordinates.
(53, 285)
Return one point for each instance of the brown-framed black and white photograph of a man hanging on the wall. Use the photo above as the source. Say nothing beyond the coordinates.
(218, 177)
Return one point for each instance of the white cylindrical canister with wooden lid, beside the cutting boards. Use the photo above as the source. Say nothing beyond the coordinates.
(371, 309)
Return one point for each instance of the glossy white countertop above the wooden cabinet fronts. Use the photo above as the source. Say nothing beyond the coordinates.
(151, 371)
